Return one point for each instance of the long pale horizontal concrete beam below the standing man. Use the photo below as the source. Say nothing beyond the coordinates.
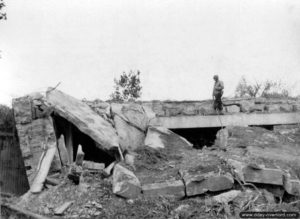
(239, 119)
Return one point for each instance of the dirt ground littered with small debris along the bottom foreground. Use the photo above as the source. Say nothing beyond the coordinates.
(94, 199)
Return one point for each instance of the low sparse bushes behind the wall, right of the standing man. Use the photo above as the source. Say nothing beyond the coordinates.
(267, 89)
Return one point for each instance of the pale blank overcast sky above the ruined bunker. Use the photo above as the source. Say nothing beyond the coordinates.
(178, 45)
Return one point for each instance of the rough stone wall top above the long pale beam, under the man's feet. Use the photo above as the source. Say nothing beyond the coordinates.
(192, 108)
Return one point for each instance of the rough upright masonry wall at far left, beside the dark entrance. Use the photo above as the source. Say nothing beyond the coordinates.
(33, 128)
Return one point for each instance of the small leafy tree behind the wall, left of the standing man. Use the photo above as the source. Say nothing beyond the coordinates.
(127, 87)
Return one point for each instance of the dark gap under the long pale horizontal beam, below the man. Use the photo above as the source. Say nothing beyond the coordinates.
(199, 137)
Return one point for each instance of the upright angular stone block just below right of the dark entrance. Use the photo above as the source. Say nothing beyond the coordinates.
(125, 183)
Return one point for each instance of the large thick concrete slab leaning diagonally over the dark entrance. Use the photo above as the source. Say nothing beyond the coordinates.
(84, 118)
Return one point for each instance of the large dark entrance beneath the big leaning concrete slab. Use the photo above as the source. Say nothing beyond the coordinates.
(74, 137)
